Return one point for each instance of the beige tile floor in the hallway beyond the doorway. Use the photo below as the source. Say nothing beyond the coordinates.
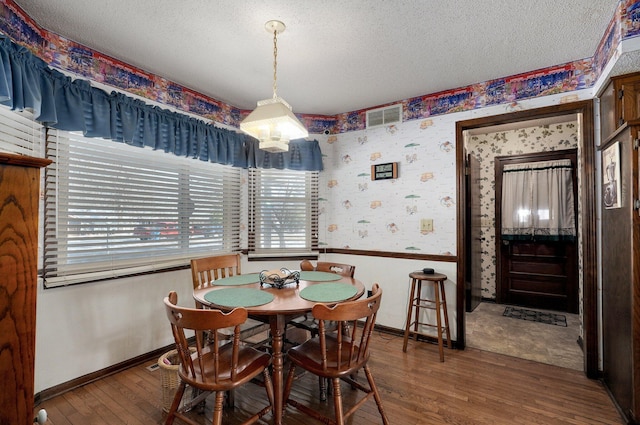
(488, 330)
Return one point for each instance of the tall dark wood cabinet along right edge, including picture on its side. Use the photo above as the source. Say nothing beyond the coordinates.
(620, 113)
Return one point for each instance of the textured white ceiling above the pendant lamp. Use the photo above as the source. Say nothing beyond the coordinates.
(335, 56)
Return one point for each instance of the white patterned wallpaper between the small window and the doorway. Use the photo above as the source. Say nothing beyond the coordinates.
(359, 213)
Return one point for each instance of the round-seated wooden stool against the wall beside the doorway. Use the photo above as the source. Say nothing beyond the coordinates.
(439, 306)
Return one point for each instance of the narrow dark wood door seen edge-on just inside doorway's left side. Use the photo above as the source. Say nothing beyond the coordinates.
(474, 235)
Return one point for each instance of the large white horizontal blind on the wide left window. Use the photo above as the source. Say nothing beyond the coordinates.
(113, 210)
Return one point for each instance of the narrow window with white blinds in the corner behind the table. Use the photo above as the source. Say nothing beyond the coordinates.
(283, 212)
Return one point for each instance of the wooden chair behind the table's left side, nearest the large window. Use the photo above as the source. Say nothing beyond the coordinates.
(205, 271)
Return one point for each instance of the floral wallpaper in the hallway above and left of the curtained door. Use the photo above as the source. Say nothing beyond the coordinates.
(486, 147)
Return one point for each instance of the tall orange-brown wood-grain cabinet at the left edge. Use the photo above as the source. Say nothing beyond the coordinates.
(19, 199)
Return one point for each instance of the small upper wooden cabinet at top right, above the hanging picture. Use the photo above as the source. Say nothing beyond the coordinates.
(619, 103)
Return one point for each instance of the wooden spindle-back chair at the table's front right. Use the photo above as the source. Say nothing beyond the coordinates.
(338, 355)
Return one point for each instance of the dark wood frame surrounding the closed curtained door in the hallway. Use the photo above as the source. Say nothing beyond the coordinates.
(500, 161)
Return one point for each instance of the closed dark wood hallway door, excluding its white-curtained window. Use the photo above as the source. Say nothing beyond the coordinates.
(536, 274)
